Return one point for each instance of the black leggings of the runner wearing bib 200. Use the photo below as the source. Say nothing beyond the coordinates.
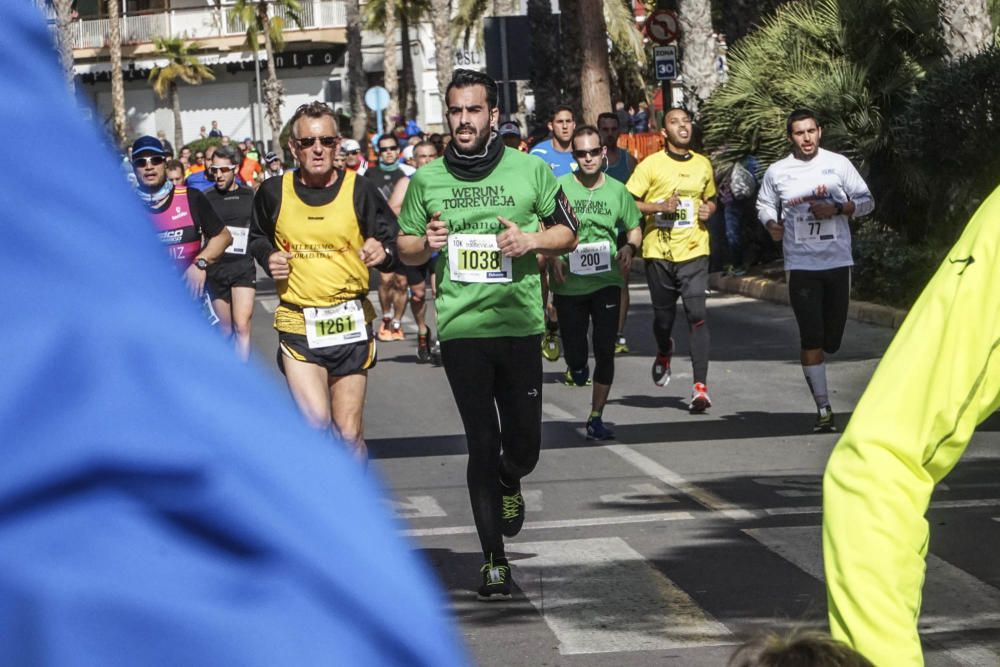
(576, 312)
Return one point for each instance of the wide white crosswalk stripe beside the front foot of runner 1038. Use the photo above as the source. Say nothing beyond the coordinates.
(600, 595)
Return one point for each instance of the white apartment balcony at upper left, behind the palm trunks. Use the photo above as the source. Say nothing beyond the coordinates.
(198, 23)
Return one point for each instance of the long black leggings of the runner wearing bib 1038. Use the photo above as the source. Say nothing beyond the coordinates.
(497, 383)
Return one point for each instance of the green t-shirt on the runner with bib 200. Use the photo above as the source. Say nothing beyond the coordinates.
(603, 213)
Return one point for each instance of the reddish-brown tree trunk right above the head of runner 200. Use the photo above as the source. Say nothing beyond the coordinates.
(595, 71)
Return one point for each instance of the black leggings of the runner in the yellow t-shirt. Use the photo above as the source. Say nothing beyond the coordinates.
(689, 280)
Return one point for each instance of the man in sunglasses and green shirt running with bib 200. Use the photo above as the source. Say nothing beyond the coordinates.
(587, 283)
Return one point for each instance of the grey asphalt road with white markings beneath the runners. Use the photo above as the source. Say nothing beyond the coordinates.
(674, 543)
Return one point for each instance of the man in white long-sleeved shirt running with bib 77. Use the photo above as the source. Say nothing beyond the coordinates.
(806, 201)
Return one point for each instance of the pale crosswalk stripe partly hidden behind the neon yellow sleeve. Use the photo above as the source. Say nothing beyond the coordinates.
(954, 601)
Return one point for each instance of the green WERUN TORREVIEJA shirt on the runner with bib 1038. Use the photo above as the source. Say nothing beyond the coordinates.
(522, 189)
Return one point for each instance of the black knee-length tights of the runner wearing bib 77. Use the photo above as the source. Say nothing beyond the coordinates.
(820, 300)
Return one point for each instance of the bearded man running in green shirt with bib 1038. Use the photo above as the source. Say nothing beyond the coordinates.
(489, 210)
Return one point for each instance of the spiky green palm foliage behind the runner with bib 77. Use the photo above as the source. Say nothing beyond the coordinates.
(857, 63)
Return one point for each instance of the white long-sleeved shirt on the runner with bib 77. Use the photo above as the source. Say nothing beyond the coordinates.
(789, 187)
